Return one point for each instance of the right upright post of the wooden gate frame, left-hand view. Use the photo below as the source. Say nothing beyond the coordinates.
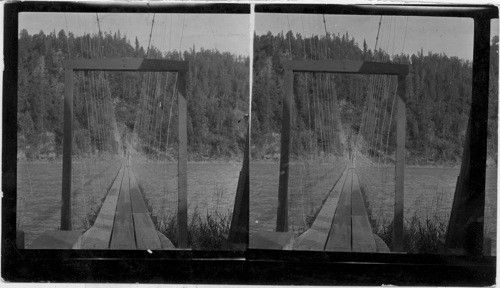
(182, 215)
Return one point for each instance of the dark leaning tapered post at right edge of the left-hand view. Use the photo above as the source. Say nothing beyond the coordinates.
(238, 232)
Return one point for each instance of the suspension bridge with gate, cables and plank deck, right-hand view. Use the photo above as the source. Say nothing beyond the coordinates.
(342, 222)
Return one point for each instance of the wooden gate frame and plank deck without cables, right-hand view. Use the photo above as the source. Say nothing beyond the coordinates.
(342, 224)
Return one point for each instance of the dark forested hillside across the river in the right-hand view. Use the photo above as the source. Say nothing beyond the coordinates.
(438, 96)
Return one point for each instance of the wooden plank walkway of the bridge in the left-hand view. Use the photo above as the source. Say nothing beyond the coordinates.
(124, 223)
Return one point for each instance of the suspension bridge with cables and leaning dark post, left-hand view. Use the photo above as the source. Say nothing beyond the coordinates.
(124, 219)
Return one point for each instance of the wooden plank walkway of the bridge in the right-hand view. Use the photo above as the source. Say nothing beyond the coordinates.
(342, 224)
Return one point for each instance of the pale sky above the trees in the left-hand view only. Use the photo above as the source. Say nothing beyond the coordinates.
(224, 32)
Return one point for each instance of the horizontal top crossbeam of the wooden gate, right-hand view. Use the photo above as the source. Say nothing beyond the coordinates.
(346, 66)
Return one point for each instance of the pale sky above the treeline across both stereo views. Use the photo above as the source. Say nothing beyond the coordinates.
(226, 32)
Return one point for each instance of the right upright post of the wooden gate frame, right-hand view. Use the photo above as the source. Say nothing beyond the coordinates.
(397, 237)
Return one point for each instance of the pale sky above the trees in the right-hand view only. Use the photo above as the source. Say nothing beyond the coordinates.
(453, 36)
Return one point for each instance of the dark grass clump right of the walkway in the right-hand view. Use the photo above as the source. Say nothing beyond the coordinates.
(419, 236)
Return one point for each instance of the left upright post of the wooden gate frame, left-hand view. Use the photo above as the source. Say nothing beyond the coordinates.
(67, 150)
